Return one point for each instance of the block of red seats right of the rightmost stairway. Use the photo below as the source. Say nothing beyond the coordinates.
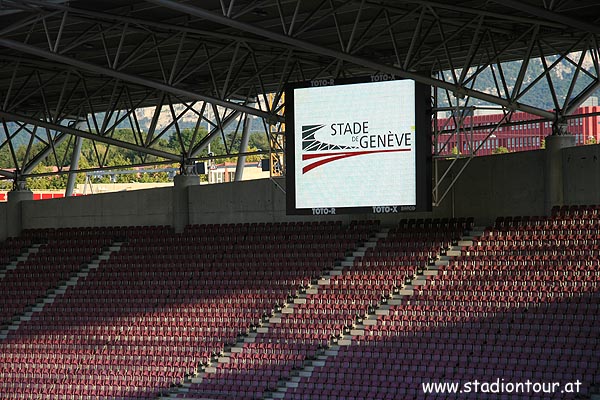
(486, 315)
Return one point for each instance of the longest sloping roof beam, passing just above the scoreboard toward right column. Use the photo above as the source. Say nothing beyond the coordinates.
(375, 66)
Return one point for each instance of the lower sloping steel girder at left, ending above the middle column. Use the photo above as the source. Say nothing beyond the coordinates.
(87, 135)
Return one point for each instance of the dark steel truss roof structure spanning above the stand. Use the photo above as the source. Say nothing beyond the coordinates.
(80, 68)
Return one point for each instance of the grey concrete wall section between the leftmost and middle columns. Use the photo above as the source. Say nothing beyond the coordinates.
(140, 207)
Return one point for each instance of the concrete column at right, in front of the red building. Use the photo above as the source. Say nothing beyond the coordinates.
(553, 174)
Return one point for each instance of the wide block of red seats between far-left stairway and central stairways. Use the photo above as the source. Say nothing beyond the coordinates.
(148, 312)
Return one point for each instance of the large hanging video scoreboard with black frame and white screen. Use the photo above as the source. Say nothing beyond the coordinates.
(358, 145)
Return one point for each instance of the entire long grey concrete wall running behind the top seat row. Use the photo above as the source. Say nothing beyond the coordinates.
(499, 185)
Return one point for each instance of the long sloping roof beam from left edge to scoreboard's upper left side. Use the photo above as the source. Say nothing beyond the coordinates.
(135, 79)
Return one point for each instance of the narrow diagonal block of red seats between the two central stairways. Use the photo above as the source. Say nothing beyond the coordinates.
(328, 314)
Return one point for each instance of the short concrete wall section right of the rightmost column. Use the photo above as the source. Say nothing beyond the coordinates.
(582, 175)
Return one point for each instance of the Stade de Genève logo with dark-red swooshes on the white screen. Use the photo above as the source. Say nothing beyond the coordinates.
(318, 153)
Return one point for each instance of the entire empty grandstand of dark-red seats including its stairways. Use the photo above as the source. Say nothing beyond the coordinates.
(302, 310)
